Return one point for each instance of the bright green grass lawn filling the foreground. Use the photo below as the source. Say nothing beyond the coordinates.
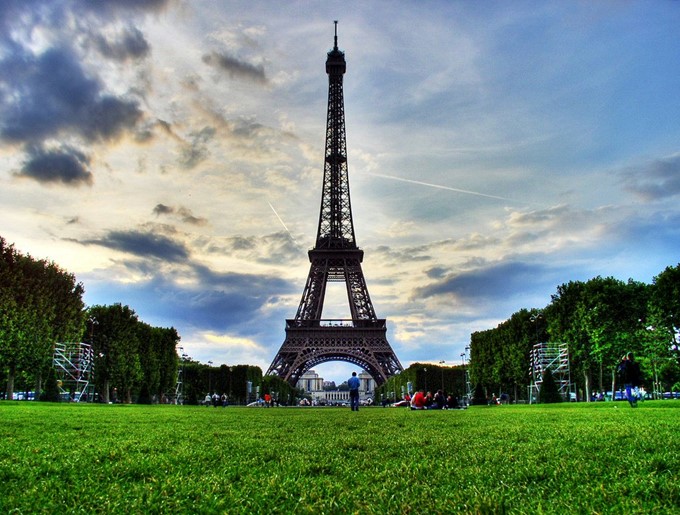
(578, 458)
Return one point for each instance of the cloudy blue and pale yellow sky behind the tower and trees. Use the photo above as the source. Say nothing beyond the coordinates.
(170, 154)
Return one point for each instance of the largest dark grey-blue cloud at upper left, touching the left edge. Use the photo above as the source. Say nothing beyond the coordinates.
(45, 95)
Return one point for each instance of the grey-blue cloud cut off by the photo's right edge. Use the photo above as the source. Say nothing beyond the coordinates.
(655, 180)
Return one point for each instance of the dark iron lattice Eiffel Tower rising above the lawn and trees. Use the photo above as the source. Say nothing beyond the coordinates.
(311, 340)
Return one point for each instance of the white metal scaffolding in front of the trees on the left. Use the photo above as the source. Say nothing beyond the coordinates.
(74, 366)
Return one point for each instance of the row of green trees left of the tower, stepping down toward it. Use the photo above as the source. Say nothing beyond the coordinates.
(42, 304)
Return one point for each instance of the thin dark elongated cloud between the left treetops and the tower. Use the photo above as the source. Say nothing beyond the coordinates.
(145, 245)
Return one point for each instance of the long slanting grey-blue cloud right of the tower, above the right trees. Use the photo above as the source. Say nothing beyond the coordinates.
(501, 280)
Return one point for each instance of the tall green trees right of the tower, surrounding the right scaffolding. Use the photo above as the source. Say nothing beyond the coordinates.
(599, 320)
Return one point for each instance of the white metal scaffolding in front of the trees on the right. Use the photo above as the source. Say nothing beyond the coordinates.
(553, 357)
